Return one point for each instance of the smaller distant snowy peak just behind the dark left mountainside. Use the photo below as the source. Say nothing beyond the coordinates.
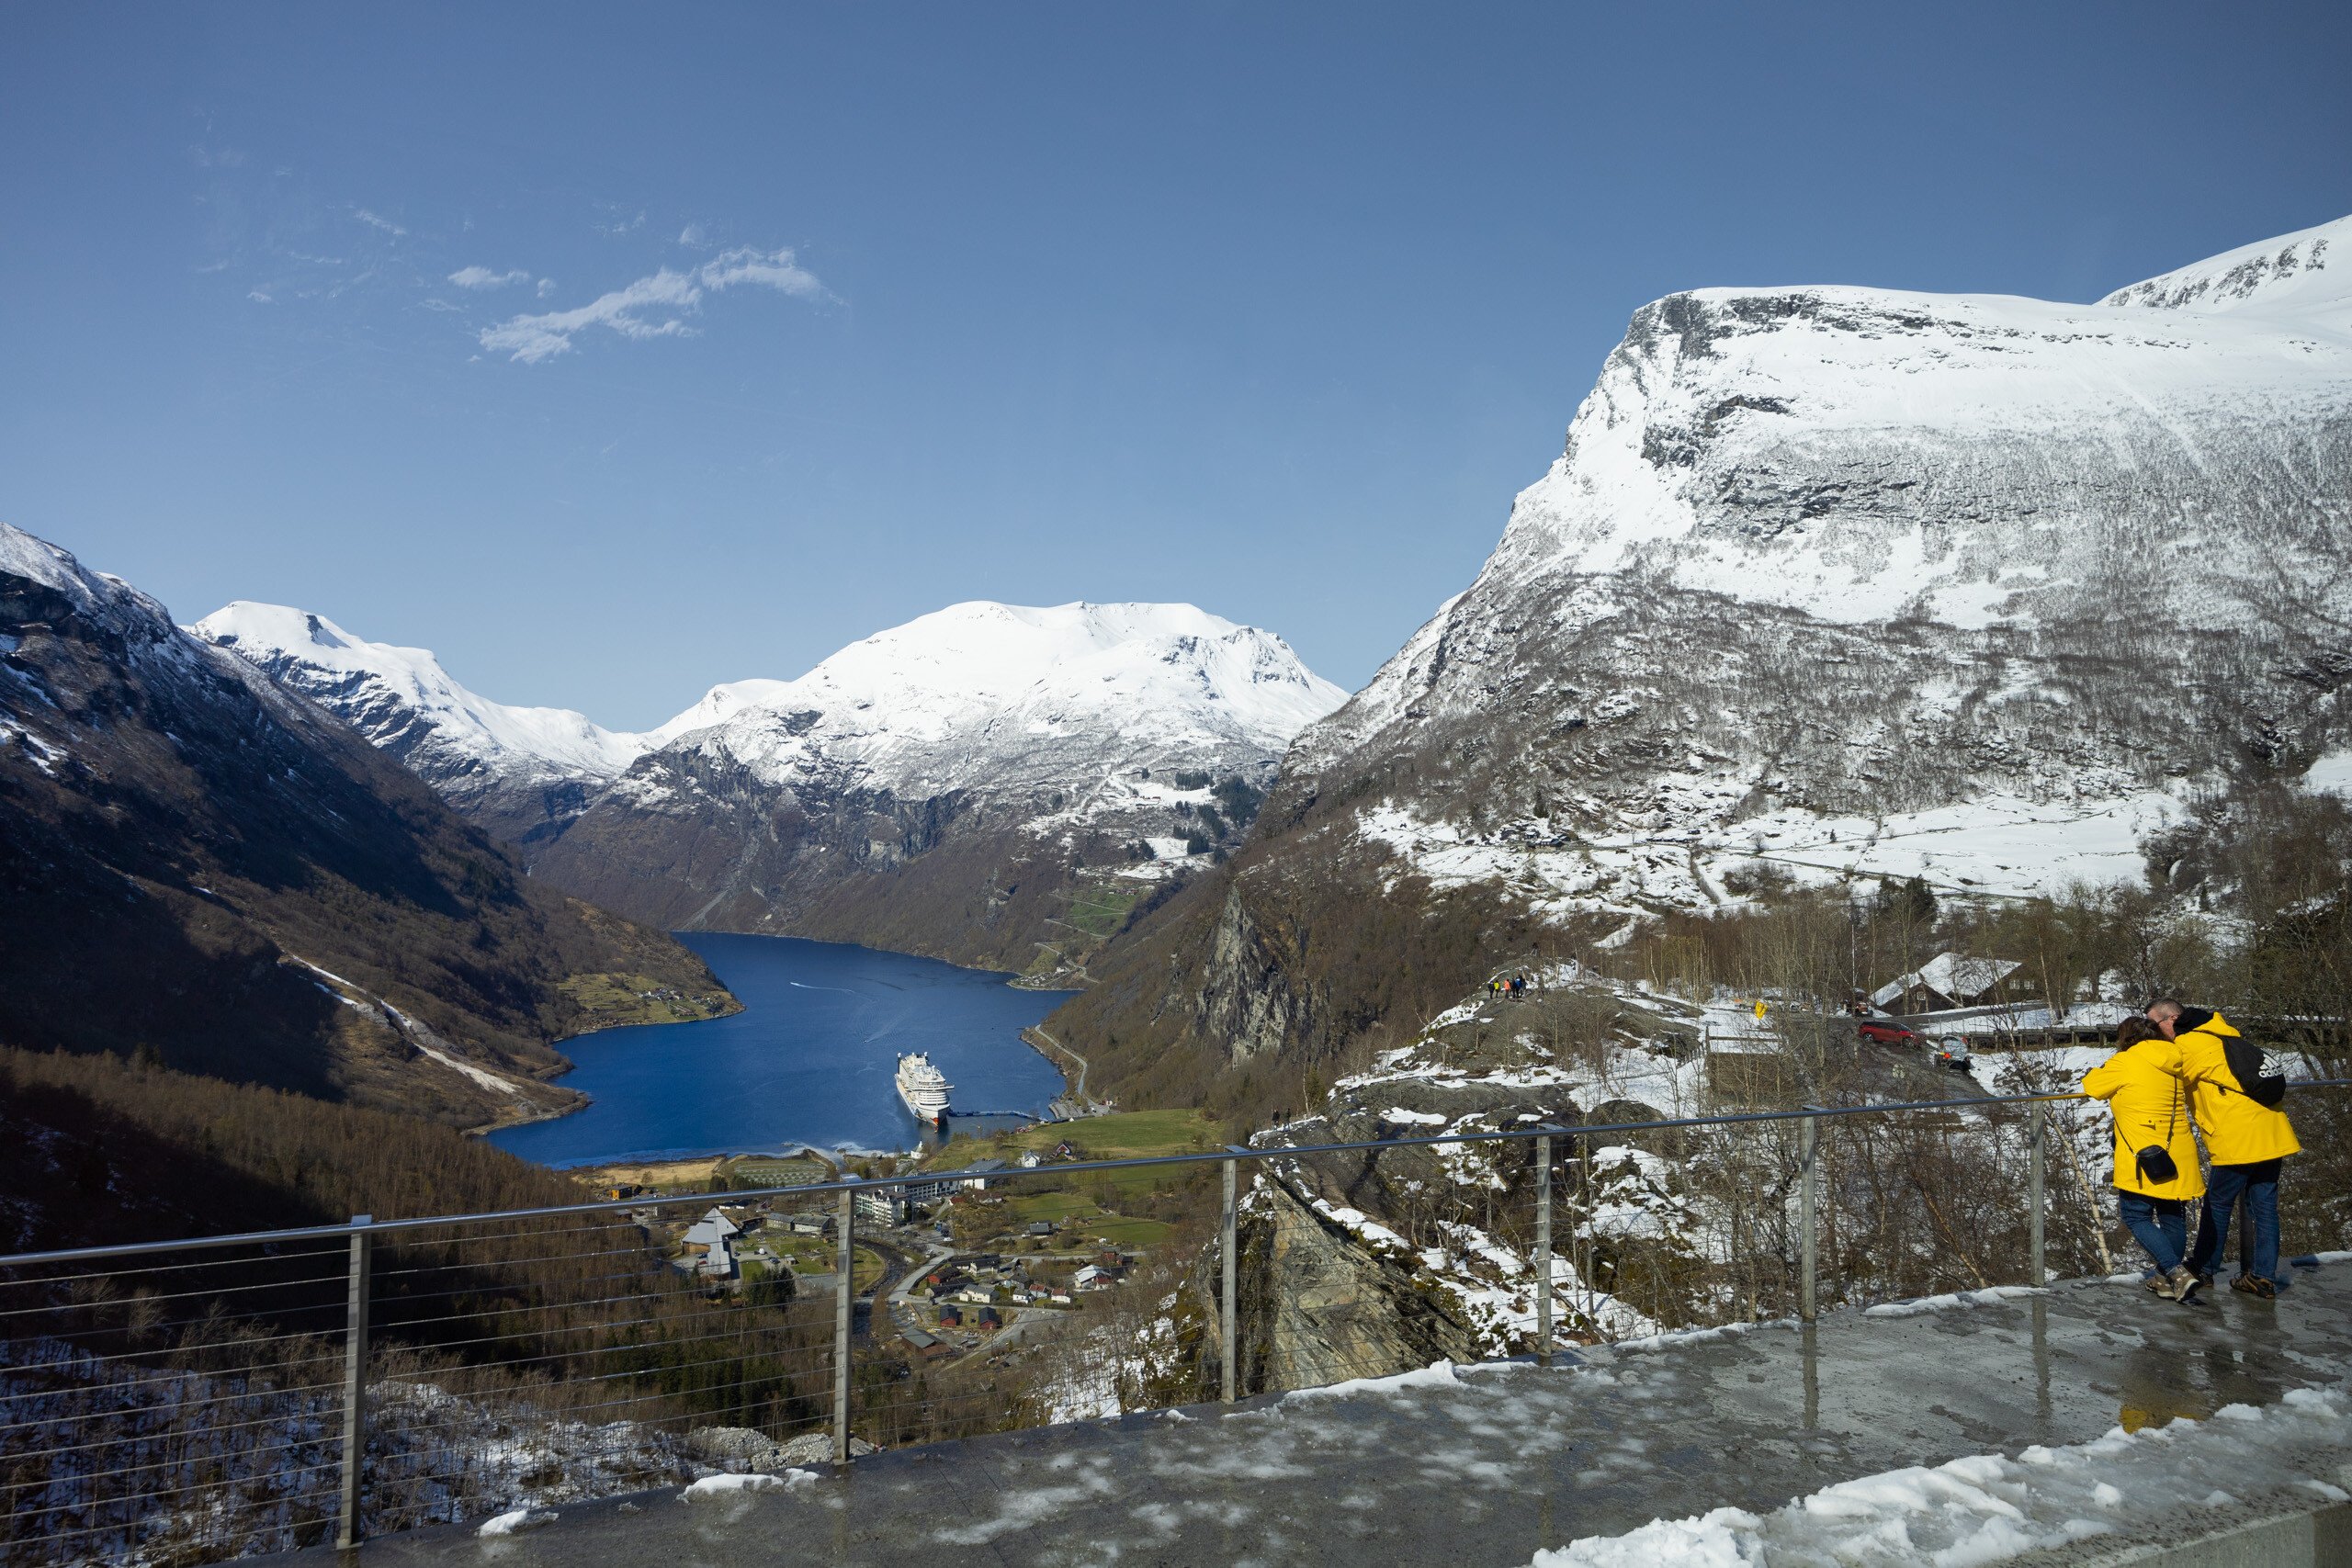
(410, 706)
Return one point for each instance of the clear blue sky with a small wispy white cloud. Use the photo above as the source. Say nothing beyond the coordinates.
(622, 351)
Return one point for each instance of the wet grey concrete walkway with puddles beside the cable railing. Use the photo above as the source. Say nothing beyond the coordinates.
(1499, 1461)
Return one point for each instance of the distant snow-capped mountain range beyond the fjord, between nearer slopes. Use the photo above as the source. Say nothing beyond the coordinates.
(1109, 737)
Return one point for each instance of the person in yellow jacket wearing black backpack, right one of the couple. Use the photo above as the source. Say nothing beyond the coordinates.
(2238, 1094)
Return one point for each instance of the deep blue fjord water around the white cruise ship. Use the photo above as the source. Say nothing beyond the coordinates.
(808, 1061)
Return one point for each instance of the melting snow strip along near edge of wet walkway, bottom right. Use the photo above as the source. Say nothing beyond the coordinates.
(1991, 1508)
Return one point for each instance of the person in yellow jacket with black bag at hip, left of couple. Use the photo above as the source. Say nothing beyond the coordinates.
(2156, 1153)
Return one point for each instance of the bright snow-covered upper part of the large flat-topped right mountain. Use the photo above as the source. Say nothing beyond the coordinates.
(1871, 455)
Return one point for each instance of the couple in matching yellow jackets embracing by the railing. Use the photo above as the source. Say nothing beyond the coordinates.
(2184, 1071)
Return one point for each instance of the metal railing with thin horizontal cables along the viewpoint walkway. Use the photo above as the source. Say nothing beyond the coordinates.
(225, 1395)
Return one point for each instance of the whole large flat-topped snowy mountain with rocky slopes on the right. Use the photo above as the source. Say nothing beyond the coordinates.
(1831, 582)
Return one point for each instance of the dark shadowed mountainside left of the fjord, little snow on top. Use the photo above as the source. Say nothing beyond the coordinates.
(208, 869)
